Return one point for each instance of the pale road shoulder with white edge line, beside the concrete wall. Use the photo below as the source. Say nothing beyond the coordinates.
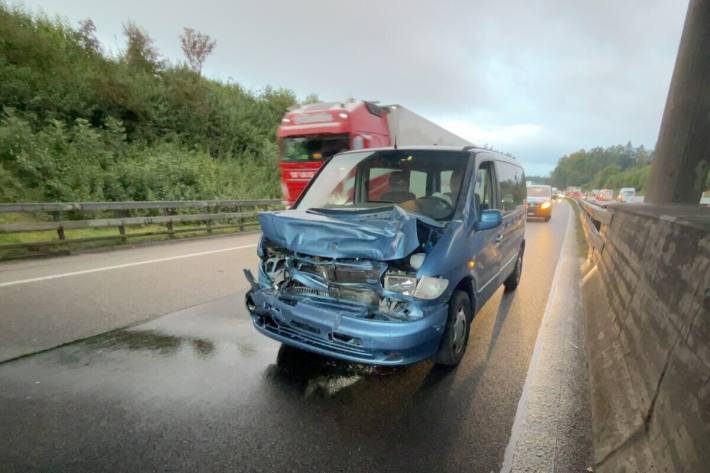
(552, 427)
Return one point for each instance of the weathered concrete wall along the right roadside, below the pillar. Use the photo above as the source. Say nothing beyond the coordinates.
(647, 303)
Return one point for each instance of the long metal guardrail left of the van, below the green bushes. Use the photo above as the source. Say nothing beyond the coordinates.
(214, 214)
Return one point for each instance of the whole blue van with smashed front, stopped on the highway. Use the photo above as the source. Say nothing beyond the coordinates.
(388, 254)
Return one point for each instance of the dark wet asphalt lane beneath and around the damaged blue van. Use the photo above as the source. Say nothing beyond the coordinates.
(200, 390)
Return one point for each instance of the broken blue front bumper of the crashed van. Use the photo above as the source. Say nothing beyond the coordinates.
(341, 331)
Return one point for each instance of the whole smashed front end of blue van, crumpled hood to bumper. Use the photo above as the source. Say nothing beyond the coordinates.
(350, 284)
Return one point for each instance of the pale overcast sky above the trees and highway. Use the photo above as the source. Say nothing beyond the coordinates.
(539, 79)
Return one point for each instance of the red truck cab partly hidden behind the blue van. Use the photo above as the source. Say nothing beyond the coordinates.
(311, 133)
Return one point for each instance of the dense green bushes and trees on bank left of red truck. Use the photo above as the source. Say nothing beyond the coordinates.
(78, 124)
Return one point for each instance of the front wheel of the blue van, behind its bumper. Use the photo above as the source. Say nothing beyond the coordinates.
(458, 325)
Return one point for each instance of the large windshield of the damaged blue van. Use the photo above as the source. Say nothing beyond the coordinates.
(426, 182)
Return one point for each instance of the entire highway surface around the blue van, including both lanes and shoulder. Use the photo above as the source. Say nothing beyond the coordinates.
(144, 359)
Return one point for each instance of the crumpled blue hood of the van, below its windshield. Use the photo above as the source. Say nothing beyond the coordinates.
(386, 234)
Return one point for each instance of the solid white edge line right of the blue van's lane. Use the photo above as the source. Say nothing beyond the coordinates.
(521, 411)
